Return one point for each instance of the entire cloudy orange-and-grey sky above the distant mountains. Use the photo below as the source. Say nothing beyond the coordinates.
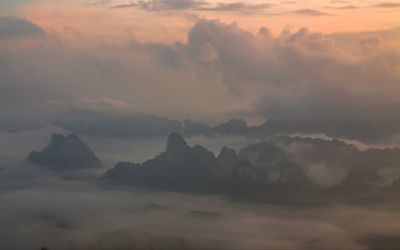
(209, 61)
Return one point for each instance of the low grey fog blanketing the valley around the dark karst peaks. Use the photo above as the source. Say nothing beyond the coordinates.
(40, 208)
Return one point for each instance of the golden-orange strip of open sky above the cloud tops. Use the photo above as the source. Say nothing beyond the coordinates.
(101, 19)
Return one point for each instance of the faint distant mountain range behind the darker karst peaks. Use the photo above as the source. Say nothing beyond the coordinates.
(147, 125)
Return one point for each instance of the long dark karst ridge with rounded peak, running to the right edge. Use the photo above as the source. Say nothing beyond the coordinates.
(276, 168)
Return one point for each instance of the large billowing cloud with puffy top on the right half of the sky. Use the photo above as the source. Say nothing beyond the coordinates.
(308, 79)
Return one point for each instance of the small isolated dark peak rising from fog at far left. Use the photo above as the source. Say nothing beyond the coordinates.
(65, 152)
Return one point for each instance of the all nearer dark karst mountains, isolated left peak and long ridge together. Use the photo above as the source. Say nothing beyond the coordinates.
(283, 168)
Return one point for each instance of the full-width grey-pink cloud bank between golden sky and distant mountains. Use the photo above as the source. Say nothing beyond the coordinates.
(340, 84)
